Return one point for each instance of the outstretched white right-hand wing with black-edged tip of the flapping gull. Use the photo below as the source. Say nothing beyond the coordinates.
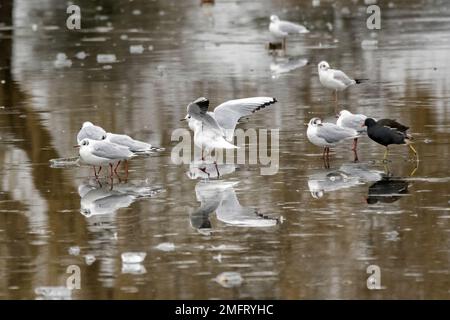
(228, 113)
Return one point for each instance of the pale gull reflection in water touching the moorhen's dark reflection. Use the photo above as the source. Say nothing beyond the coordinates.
(348, 175)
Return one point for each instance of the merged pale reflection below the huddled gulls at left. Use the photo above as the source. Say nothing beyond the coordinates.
(99, 200)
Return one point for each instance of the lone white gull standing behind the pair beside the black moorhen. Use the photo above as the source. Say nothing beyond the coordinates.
(335, 79)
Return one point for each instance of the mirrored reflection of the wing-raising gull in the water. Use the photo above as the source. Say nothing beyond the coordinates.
(220, 196)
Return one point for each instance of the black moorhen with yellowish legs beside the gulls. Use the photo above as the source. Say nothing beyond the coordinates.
(386, 136)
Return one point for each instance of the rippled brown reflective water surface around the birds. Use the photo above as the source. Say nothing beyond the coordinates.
(305, 232)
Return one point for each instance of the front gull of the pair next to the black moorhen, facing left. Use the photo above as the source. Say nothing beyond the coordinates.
(326, 135)
